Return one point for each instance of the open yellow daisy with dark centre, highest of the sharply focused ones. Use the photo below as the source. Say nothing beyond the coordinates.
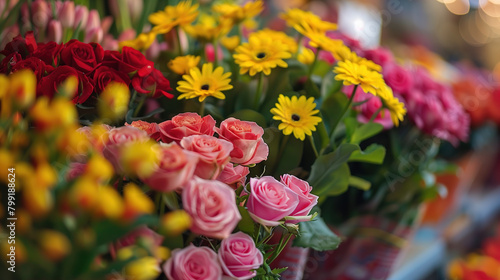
(260, 55)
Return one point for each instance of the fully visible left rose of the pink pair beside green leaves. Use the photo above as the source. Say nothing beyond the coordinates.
(270, 201)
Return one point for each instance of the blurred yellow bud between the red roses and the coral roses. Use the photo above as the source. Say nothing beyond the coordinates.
(113, 101)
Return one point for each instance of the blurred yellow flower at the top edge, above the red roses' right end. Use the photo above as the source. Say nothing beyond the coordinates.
(180, 15)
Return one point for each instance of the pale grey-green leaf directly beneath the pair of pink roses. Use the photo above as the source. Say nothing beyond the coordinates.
(316, 234)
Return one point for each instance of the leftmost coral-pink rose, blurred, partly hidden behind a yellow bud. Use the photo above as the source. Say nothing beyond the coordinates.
(119, 137)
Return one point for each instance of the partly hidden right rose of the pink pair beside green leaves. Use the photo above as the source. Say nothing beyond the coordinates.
(306, 200)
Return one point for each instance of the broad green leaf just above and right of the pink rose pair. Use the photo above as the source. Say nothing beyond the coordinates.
(325, 168)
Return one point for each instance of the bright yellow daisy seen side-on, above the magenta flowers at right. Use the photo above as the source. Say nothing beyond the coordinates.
(357, 74)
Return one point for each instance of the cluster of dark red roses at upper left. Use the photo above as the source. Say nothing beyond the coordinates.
(94, 67)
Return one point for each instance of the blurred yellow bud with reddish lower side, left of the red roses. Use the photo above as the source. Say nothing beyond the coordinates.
(22, 88)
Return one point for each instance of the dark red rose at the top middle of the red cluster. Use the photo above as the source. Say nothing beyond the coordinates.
(81, 56)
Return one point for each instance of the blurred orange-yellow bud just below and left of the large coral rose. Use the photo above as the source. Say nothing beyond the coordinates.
(136, 202)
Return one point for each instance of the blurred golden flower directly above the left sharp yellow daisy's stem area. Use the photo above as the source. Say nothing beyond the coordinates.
(208, 28)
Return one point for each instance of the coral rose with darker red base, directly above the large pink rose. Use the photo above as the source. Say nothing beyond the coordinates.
(176, 167)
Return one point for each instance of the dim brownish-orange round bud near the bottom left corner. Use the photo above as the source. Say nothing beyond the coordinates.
(54, 245)
